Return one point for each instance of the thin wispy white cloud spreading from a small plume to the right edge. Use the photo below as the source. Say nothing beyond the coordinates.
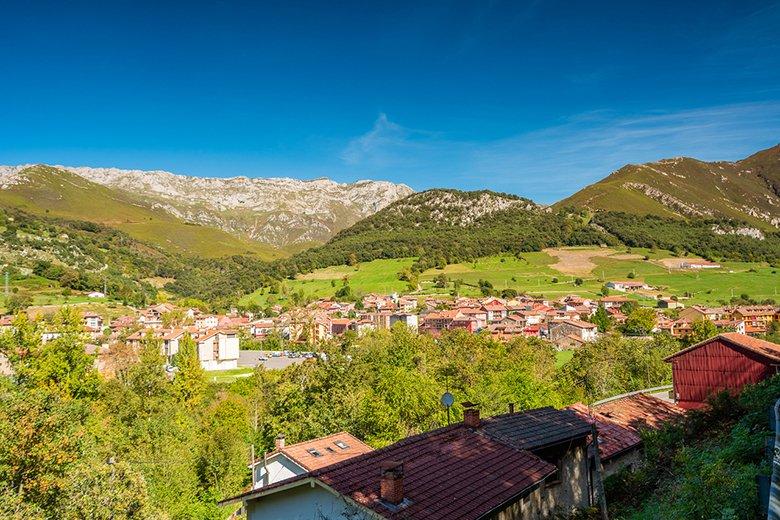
(551, 163)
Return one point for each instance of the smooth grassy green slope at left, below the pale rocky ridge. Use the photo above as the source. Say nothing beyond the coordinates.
(58, 193)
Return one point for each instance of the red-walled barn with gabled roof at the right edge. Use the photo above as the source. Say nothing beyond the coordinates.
(727, 361)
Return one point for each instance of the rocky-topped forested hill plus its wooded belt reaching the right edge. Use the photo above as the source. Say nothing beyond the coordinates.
(448, 226)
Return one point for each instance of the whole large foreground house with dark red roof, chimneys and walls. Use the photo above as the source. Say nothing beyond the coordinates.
(518, 465)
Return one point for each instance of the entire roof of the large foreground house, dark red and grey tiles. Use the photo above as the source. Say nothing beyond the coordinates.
(456, 472)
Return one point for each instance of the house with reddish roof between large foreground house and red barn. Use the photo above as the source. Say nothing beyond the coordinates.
(620, 421)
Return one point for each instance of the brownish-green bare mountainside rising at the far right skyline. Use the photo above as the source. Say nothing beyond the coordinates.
(746, 190)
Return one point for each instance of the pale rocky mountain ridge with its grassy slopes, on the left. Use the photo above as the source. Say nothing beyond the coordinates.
(202, 216)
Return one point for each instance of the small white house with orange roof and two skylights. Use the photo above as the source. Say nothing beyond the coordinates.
(288, 461)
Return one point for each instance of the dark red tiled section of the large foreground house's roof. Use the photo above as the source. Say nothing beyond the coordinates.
(449, 474)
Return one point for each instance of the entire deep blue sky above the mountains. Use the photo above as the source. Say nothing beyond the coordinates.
(534, 98)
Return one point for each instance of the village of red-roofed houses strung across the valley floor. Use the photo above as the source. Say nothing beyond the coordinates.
(567, 322)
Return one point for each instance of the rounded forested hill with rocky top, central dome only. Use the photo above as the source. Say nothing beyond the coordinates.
(446, 226)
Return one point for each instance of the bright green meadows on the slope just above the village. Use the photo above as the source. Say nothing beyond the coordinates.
(534, 273)
